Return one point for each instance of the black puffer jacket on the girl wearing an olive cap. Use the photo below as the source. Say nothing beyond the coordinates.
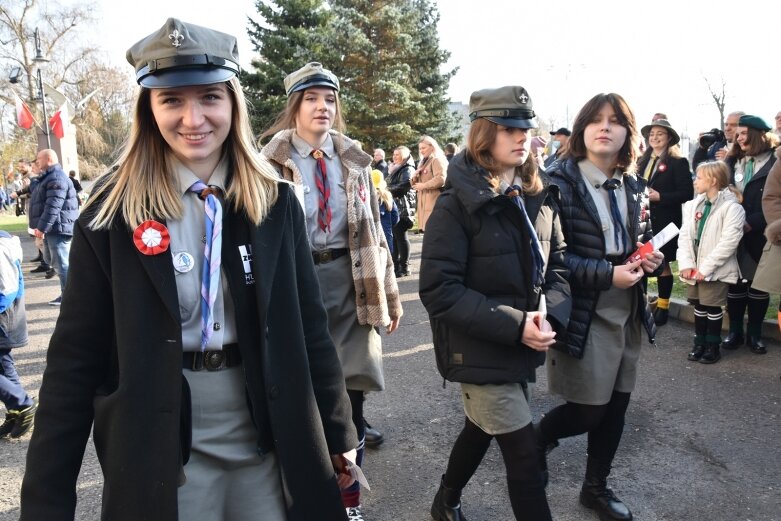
(475, 278)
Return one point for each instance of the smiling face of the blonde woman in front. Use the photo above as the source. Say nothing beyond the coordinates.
(194, 121)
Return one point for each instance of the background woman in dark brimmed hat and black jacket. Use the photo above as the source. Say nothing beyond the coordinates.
(670, 185)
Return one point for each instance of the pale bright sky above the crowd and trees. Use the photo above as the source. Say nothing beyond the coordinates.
(655, 53)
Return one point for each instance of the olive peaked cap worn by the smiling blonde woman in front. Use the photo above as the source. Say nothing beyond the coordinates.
(181, 54)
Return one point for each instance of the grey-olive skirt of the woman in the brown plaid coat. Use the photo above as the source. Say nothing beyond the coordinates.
(359, 346)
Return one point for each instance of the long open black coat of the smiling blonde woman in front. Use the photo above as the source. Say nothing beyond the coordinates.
(115, 359)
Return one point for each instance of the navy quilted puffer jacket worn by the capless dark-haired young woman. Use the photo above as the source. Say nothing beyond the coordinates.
(590, 272)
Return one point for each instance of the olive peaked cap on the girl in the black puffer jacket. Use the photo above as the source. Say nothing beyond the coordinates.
(509, 106)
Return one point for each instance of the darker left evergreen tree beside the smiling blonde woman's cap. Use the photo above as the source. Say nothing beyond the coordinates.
(291, 35)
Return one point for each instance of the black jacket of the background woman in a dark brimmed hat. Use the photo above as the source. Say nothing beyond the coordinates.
(673, 181)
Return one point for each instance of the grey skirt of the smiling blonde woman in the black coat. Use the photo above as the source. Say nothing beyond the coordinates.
(226, 478)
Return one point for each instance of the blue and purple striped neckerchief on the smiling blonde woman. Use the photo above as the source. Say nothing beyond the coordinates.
(212, 253)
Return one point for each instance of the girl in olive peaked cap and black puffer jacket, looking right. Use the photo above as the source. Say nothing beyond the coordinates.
(493, 248)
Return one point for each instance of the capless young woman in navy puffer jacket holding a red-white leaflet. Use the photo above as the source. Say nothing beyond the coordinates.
(605, 218)
